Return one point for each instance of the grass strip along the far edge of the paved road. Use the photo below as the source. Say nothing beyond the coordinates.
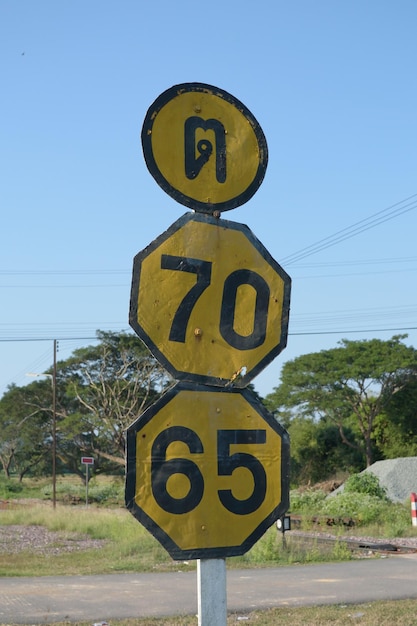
(128, 547)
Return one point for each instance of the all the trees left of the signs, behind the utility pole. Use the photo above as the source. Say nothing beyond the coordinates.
(100, 390)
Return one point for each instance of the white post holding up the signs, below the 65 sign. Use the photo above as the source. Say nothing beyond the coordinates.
(211, 582)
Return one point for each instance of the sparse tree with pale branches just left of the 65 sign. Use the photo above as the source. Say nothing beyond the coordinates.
(106, 388)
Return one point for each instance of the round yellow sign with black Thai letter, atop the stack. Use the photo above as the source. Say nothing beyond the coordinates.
(204, 147)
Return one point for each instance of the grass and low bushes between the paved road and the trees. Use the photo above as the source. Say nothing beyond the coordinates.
(125, 546)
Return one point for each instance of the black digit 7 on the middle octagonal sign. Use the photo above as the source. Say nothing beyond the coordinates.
(203, 271)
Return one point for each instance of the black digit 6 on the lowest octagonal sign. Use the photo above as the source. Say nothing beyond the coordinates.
(162, 469)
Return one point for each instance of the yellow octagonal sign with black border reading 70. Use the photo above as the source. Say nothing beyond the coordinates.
(210, 302)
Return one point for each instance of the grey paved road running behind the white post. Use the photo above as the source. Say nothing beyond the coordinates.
(99, 598)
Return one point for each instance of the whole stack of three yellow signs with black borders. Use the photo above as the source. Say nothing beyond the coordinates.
(207, 465)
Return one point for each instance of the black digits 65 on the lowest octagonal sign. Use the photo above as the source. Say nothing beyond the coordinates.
(162, 469)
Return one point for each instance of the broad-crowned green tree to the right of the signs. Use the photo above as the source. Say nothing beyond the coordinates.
(350, 386)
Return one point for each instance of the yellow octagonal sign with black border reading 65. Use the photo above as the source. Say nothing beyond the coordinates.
(207, 471)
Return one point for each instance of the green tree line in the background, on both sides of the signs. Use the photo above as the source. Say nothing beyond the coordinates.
(344, 408)
